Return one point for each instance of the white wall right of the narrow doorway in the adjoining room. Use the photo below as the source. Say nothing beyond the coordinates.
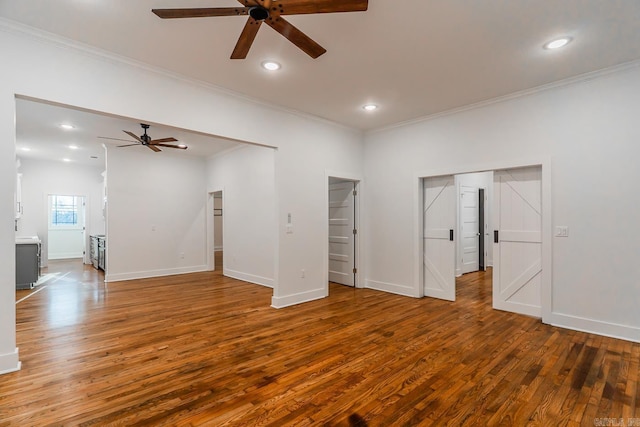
(247, 178)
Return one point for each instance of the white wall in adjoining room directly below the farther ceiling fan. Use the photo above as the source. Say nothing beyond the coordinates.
(156, 213)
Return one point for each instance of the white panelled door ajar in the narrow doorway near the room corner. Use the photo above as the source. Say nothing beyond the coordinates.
(341, 233)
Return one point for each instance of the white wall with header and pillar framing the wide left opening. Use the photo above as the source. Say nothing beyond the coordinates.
(60, 71)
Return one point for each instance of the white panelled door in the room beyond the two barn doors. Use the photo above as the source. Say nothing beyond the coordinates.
(470, 228)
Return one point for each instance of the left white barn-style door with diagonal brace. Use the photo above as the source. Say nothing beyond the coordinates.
(439, 217)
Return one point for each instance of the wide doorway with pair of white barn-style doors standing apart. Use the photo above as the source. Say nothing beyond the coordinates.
(451, 247)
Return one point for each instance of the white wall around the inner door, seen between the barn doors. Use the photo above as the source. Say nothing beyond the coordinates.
(478, 180)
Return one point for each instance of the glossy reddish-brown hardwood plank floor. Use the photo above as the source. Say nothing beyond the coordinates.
(202, 349)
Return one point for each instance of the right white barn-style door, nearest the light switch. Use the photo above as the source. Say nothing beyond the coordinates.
(517, 271)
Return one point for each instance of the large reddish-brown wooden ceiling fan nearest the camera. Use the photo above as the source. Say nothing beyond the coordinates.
(271, 12)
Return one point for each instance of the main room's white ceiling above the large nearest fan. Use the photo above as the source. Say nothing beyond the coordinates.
(413, 58)
